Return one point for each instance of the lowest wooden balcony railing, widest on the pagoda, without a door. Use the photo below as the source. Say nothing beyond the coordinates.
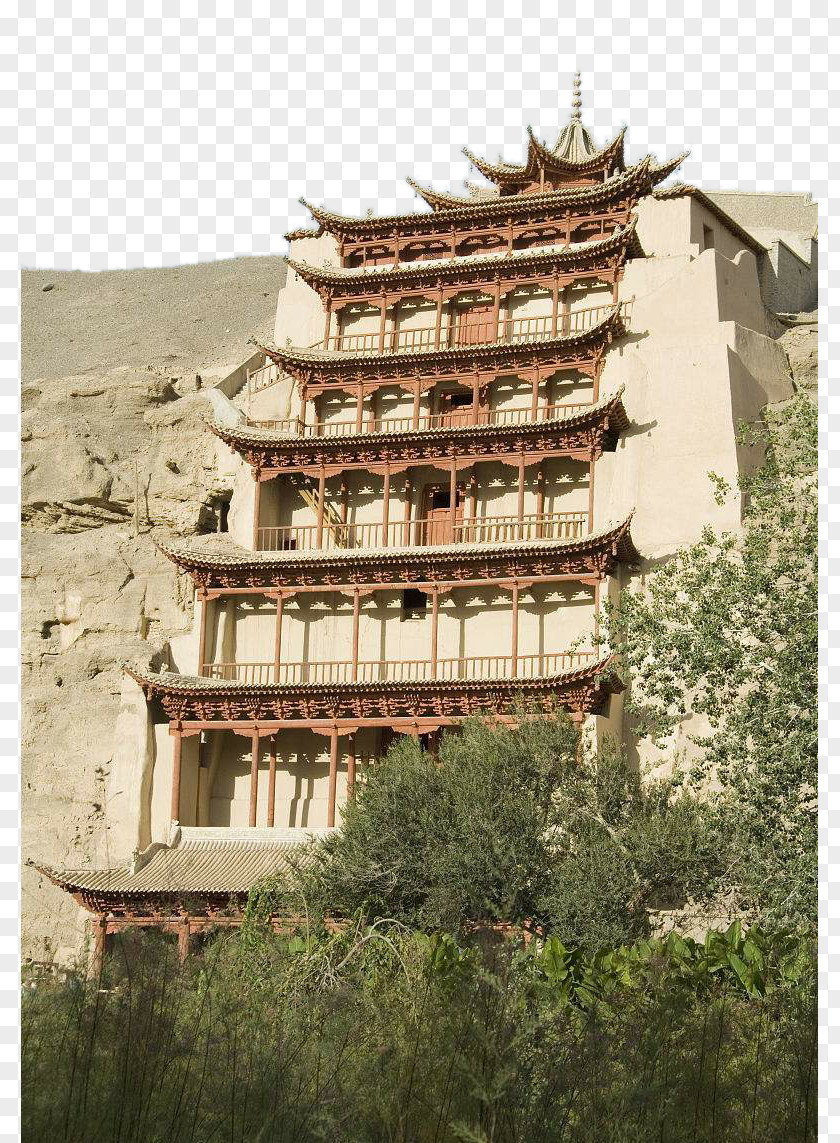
(444, 670)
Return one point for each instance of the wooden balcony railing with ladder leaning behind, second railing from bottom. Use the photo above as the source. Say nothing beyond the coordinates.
(428, 532)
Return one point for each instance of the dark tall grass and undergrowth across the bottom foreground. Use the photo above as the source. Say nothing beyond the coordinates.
(380, 1035)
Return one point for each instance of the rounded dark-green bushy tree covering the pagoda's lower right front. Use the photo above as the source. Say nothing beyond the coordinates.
(508, 826)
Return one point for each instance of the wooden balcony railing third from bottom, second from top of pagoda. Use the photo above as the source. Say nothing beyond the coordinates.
(454, 420)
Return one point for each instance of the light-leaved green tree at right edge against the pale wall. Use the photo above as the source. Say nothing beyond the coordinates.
(729, 630)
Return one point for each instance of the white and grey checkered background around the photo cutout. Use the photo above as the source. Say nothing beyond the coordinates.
(162, 134)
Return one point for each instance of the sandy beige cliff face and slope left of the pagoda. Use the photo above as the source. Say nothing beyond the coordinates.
(117, 370)
